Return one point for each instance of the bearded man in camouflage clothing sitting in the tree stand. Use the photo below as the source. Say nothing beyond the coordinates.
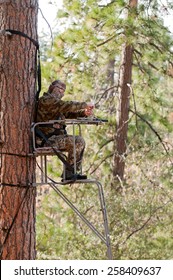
(51, 107)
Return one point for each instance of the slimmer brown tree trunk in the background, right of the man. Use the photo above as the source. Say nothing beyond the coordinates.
(123, 107)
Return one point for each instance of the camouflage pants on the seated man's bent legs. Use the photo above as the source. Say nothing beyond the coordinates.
(66, 143)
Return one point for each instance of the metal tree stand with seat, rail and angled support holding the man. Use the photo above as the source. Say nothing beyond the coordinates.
(44, 152)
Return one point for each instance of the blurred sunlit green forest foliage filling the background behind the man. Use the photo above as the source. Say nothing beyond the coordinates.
(86, 52)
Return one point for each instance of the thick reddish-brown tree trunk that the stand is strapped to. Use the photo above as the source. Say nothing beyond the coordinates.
(17, 89)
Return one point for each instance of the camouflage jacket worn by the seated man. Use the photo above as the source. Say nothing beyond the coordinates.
(52, 108)
